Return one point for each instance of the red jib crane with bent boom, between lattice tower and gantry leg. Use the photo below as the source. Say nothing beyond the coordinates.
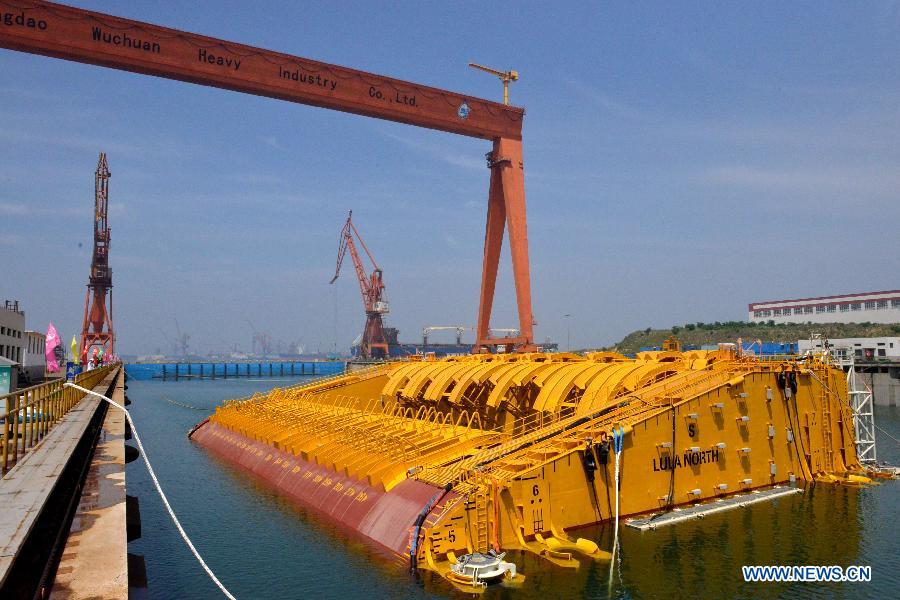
(373, 343)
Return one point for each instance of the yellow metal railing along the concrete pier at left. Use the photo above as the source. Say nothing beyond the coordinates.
(30, 413)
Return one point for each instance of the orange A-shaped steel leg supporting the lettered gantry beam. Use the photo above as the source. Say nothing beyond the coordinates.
(506, 206)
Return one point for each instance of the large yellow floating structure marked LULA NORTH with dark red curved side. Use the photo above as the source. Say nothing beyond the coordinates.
(434, 458)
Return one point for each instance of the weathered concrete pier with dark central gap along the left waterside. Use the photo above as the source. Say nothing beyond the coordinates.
(39, 496)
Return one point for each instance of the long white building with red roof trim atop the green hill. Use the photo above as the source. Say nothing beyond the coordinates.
(872, 307)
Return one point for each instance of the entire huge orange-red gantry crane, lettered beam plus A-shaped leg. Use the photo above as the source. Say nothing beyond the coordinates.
(95, 38)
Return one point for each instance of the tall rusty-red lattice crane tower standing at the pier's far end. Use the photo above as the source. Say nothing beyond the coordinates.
(97, 329)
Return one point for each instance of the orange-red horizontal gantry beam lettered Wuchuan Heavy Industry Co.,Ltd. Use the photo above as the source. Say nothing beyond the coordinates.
(100, 39)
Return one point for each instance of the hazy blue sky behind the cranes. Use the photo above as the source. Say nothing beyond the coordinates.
(681, 161)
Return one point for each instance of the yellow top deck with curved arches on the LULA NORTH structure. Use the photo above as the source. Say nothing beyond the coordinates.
(381, 441)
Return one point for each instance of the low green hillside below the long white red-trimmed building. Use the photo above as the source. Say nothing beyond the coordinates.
(712, 333)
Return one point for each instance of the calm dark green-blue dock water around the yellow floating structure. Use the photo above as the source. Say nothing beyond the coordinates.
(262, 546)
